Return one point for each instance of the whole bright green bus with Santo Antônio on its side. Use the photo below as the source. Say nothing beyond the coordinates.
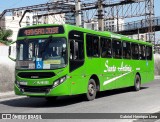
(58, 60)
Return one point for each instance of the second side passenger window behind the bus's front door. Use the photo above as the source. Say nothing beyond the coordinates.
(106, 48)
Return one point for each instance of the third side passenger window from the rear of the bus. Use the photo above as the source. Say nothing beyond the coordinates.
(135, 50)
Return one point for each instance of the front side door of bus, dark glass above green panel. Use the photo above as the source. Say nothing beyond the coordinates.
(76, 62)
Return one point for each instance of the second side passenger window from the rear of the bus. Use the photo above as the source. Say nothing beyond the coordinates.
(142, 52)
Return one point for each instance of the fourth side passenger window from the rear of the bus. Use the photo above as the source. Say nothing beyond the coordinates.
(126, 50)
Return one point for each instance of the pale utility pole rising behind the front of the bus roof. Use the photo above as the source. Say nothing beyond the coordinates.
(78, 13)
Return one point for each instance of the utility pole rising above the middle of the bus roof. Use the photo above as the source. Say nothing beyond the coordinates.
(100, 16)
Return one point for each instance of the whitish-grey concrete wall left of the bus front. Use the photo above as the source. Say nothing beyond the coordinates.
(7, 68)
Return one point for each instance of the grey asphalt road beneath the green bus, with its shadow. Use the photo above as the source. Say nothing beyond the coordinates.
(147, 100)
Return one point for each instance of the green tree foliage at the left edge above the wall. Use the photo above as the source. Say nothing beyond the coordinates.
(4, 35)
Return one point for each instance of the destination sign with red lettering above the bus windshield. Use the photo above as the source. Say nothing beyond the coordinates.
(41, 31)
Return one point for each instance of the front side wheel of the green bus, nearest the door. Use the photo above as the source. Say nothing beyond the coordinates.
(91, 90)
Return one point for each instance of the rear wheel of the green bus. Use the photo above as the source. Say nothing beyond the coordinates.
(137, 83)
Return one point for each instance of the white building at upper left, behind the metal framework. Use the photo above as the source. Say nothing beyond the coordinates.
(12, 21)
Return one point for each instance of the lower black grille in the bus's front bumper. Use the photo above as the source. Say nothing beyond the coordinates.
(36, 89)
